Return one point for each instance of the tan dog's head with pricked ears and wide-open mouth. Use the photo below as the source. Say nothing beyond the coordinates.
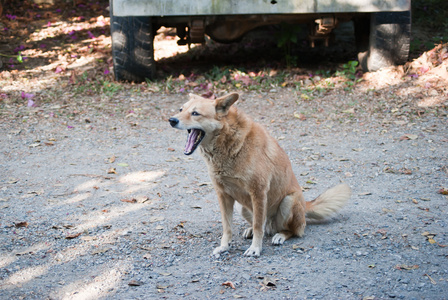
(202, 118)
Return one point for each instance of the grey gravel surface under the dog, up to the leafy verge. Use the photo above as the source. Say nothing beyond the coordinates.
(97, 201)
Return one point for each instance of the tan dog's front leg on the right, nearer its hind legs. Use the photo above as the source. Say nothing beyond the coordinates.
(259, 205)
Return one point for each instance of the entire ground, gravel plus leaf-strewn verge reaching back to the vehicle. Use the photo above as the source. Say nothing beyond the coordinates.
(97, 200)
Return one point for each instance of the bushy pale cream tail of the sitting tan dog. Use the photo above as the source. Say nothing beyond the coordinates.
(329, 202)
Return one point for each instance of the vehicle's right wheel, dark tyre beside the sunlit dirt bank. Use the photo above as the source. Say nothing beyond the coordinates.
(389, 40)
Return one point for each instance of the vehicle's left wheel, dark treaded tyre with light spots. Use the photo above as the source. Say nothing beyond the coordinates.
(132, 47)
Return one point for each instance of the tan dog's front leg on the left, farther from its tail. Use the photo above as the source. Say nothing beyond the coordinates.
(226, 204)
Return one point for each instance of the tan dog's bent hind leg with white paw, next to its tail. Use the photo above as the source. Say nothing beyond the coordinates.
(290, 219)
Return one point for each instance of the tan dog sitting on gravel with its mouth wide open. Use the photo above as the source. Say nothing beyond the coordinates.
(248, 166)
